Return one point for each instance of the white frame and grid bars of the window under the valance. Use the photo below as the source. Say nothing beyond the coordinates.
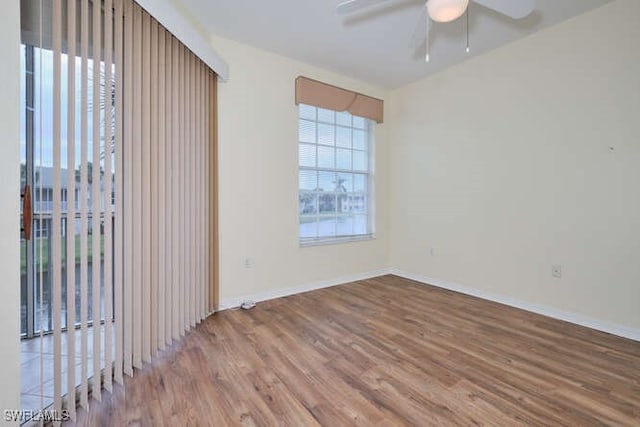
(370, 180)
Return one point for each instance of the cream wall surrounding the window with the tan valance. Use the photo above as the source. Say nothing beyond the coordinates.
(259, 181)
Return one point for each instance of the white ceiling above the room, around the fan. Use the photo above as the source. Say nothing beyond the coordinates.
(373, 45)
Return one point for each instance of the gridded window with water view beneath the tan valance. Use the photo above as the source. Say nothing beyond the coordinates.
(335, 181)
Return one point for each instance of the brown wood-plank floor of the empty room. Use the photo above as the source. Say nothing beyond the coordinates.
(387, 352)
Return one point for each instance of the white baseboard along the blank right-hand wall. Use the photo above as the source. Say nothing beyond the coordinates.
(567, 316)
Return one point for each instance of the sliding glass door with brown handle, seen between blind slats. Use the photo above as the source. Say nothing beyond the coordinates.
(36, 180)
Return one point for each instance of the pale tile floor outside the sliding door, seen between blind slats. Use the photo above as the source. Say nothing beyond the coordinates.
(36, 369)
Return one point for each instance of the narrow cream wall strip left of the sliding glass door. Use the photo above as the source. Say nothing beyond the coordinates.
(9, 214)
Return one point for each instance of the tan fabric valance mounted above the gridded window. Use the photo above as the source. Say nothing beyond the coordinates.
(323, 95)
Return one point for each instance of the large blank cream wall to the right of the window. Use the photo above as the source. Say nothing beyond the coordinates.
(525, 157)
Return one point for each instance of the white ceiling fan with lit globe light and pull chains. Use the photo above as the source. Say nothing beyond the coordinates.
(447, 11)
